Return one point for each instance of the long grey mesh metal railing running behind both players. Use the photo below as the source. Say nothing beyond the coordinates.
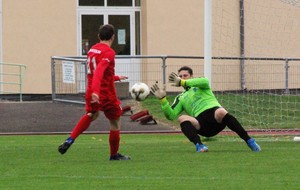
(228, 73)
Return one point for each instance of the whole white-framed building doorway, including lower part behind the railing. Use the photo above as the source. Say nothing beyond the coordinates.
(126, 19)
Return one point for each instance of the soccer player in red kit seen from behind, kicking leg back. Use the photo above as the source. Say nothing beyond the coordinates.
(101, 94)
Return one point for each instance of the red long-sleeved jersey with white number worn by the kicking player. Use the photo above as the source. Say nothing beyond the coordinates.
(101, 72)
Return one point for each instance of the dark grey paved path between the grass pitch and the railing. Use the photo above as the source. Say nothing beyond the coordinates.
(46, 117)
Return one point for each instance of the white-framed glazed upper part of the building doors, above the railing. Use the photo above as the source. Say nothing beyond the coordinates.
(126, 21)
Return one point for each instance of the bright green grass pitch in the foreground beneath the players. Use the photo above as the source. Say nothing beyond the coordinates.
(158, 162)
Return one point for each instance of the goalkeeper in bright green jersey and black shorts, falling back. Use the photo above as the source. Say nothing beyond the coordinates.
(204, 114)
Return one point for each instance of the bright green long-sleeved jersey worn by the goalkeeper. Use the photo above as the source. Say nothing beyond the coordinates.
(196, 98)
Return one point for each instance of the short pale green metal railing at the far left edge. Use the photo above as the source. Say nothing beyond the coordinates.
(11, 79)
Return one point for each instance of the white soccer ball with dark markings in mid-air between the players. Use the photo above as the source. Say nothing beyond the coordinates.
(139, 91)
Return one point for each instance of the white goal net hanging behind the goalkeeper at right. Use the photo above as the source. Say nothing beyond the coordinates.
(256, 65)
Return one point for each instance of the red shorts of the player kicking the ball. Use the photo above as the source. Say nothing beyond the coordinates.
(111, 108)
